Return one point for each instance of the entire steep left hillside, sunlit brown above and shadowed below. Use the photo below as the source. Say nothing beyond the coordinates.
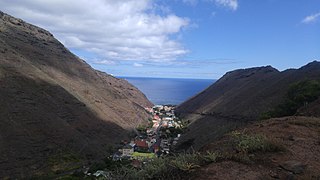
(52, 101)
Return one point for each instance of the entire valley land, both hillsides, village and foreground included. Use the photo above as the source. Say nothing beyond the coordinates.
(62, 119)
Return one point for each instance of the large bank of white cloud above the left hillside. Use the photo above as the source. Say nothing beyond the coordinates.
(113, 29)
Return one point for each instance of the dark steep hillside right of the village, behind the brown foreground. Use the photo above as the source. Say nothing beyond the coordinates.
(238, 97)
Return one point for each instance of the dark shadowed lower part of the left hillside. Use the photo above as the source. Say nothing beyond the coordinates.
(39, 119)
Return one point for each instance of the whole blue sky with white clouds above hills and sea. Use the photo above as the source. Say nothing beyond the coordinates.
(200, 39)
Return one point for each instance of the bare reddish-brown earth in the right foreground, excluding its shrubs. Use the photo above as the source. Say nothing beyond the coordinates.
(299, 137)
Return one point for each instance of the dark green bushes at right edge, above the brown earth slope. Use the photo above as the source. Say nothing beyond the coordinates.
(299, 94)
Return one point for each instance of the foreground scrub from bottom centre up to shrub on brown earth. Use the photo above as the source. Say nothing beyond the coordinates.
(180, 165)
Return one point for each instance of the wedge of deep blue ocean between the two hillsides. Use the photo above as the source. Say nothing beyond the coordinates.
(169, 90)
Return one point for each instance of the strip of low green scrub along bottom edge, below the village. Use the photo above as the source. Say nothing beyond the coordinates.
(168, 167)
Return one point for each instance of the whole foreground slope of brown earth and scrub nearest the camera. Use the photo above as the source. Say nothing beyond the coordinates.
(279, 148)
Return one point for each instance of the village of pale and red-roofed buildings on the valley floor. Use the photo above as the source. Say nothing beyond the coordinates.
(155, 139)
